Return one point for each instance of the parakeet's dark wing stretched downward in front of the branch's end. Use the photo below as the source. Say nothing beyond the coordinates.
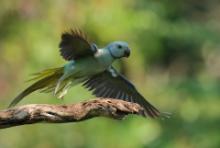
(111, 84)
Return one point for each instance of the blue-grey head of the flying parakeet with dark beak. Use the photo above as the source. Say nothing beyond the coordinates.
(118, 49)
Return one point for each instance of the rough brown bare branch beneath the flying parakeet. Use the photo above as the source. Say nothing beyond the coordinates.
(35, 113)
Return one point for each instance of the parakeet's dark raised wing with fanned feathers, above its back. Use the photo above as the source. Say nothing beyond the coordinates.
(74, 45)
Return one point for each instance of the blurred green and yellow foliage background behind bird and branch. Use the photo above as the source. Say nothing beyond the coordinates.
(175, 63)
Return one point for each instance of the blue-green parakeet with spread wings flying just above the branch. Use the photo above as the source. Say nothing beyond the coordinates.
(92, 67)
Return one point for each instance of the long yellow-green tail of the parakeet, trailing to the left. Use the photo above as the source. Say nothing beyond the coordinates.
(46, 81)
